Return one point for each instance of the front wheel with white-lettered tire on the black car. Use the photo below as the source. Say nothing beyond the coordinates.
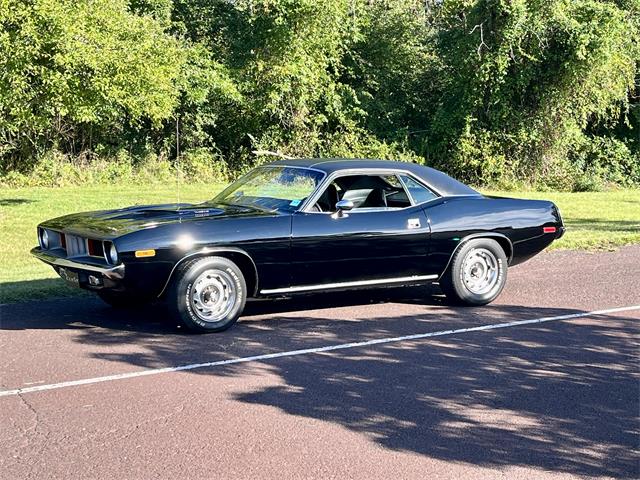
(208, 294)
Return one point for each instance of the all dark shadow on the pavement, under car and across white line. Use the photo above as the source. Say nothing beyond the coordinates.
(559, 396)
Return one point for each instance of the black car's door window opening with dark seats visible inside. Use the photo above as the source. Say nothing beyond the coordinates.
(367, 192)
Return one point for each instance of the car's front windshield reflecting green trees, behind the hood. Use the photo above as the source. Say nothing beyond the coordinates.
(271, 188)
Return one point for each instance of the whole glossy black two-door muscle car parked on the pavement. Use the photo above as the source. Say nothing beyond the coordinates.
(297, 226)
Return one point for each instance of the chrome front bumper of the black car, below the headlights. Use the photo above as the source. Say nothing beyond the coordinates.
(91, 273)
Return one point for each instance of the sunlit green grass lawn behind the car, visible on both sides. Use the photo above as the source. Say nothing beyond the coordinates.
(594, 220)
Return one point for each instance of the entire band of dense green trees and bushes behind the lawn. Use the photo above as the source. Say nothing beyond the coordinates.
(493, 91)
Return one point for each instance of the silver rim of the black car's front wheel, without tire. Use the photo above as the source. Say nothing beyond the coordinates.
(213, 295)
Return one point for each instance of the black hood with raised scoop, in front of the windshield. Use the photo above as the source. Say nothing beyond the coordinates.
(113, 223)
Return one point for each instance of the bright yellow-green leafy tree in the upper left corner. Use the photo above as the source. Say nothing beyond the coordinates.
(75, 72)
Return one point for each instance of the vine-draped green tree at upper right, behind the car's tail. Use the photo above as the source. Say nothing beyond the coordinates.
(525, 79)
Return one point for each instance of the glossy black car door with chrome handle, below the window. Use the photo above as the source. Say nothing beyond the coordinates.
(361, 245)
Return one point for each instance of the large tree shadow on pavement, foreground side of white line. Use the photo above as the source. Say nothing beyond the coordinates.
(560, 397)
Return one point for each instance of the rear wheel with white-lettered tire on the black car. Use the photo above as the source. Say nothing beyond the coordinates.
(477, 273)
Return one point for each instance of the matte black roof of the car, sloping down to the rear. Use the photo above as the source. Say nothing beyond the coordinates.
(441, 182)
